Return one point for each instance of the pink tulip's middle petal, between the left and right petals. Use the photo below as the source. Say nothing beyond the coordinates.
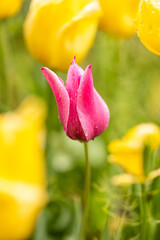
(74, 128)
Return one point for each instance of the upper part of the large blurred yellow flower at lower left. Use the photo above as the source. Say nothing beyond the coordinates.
(21, 137)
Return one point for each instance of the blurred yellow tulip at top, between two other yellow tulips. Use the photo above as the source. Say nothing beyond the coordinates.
(119, 17)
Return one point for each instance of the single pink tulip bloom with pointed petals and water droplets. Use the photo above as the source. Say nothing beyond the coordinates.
(82, 111)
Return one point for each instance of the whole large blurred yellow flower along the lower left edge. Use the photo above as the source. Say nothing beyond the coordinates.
(22, 171)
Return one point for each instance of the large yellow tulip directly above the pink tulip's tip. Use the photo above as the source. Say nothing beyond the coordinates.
(57, 30)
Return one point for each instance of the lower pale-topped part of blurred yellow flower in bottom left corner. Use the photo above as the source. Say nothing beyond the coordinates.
(19, 207)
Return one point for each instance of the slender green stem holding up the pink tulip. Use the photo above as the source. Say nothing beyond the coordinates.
(86, 195)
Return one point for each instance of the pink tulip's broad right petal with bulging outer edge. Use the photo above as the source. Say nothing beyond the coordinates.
(92, 111)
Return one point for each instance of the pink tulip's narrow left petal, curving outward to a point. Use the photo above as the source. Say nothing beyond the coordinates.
(60, 93)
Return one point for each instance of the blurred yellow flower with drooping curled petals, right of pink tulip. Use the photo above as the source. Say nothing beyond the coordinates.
(128, 152)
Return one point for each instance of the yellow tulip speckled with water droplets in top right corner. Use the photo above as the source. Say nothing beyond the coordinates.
(148, 28)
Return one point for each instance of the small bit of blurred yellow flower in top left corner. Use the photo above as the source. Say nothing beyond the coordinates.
(9, 8)
